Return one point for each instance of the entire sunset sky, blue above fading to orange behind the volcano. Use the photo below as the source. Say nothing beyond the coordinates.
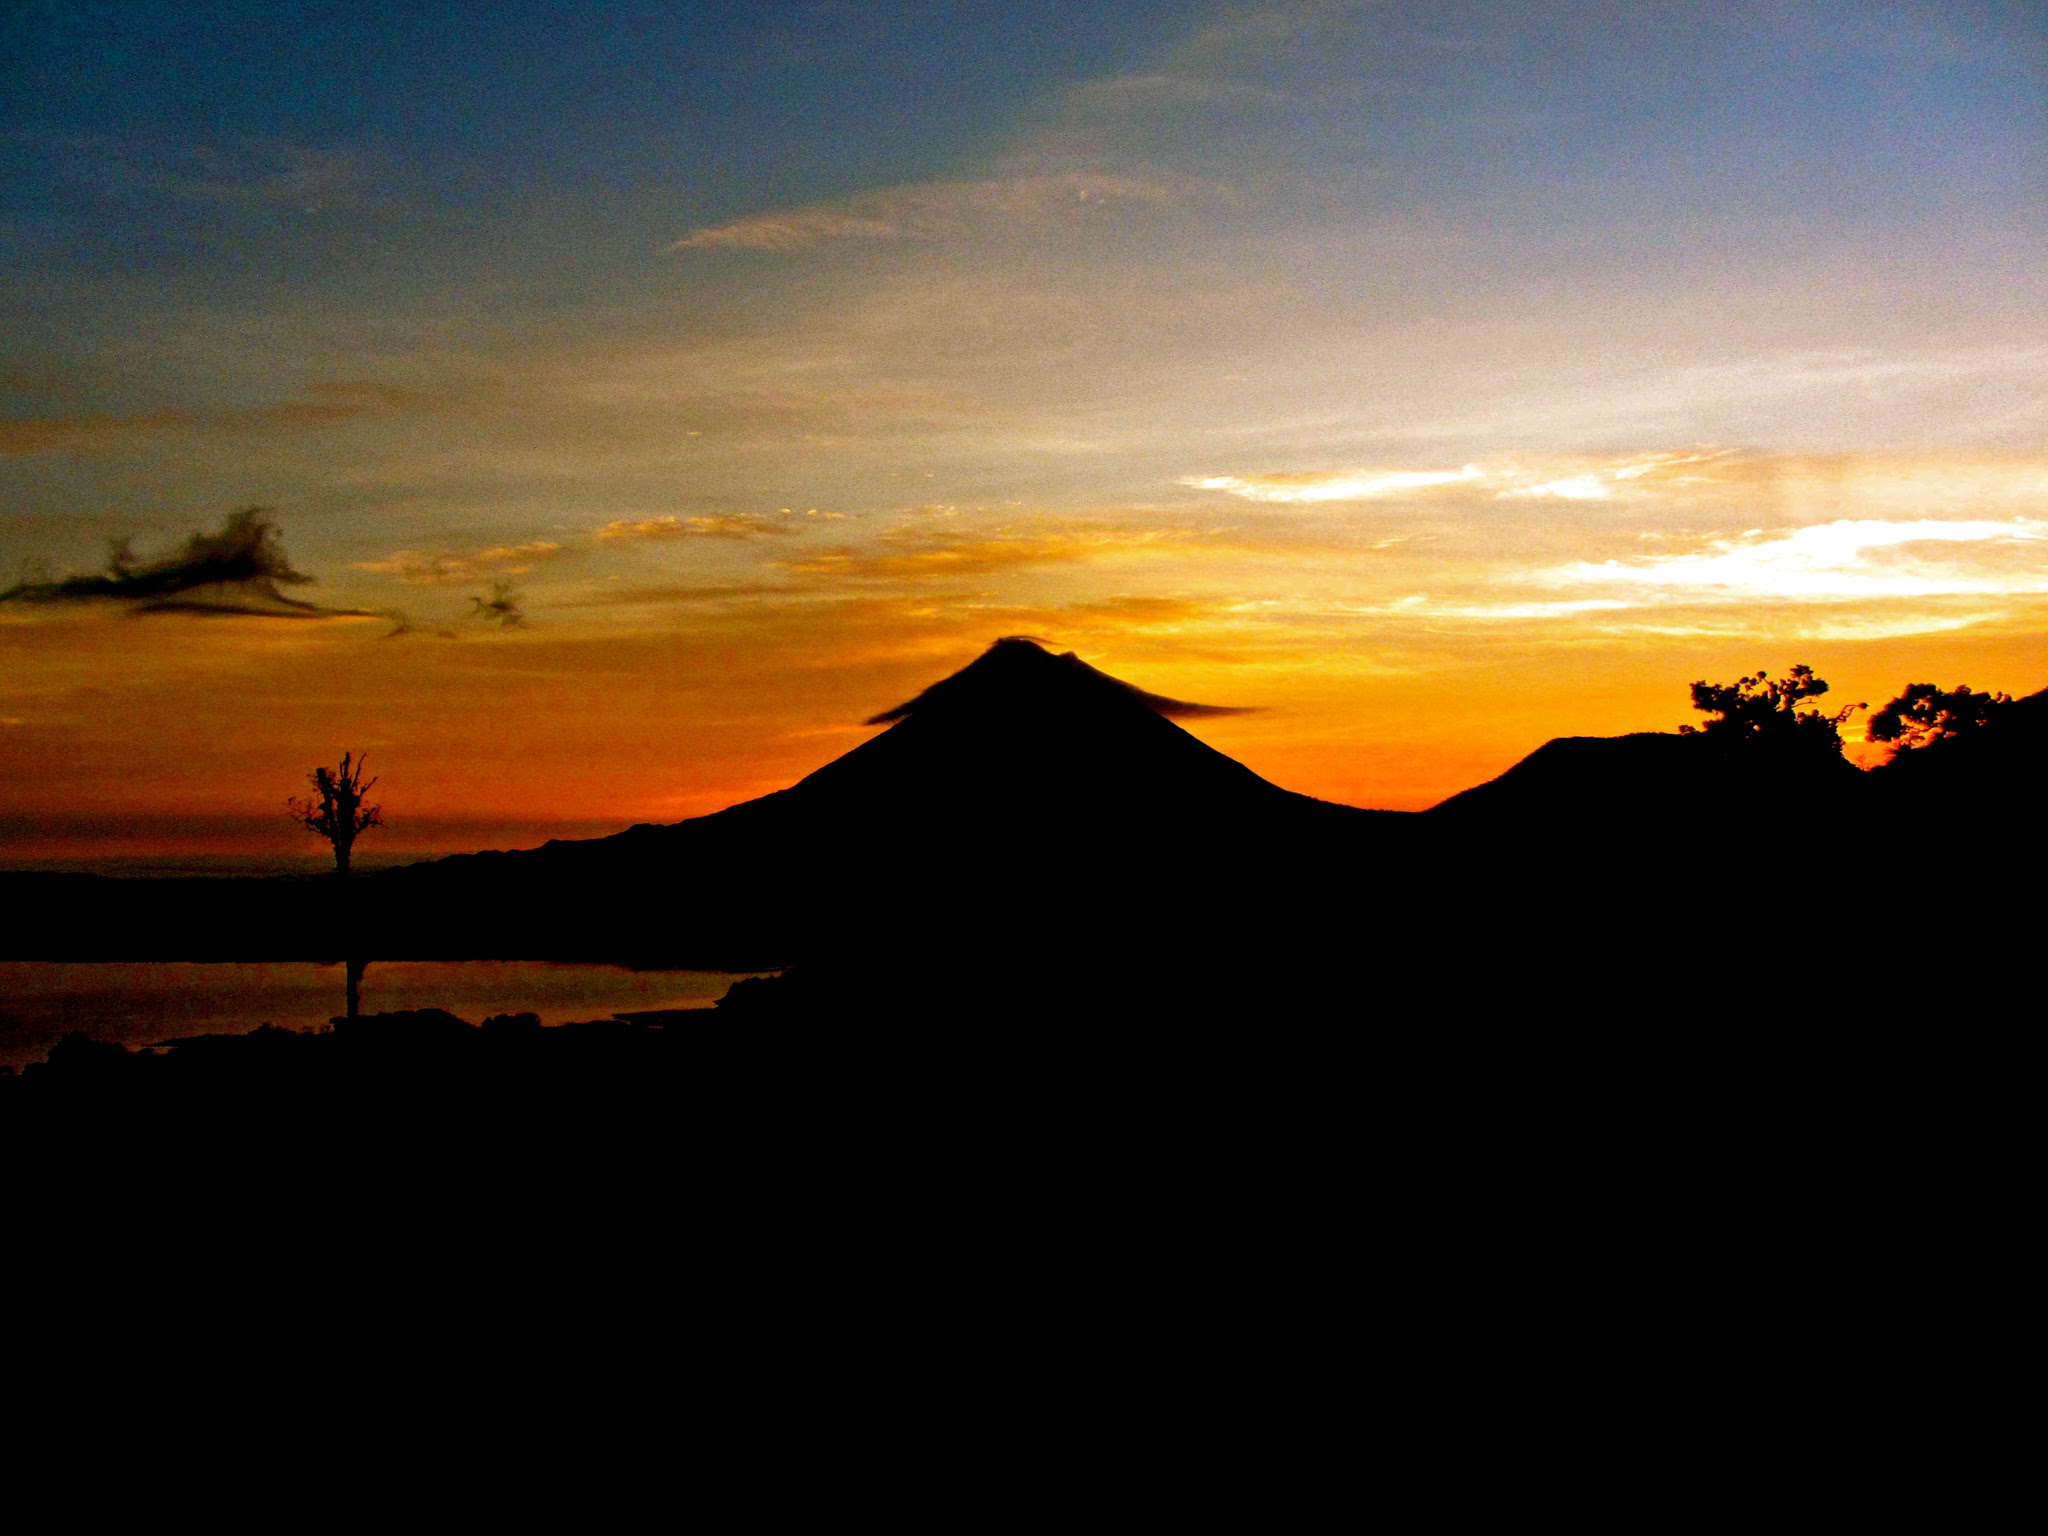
(1437, 378)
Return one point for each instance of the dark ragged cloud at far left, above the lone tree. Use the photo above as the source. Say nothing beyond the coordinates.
(239, 570)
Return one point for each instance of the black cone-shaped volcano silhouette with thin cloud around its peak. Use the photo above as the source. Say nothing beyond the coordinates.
(1023, 785)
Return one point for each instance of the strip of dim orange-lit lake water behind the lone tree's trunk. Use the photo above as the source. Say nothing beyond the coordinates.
(146, 1002)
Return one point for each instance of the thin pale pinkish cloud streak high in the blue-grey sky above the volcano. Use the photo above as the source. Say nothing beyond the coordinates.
(927, 212)
